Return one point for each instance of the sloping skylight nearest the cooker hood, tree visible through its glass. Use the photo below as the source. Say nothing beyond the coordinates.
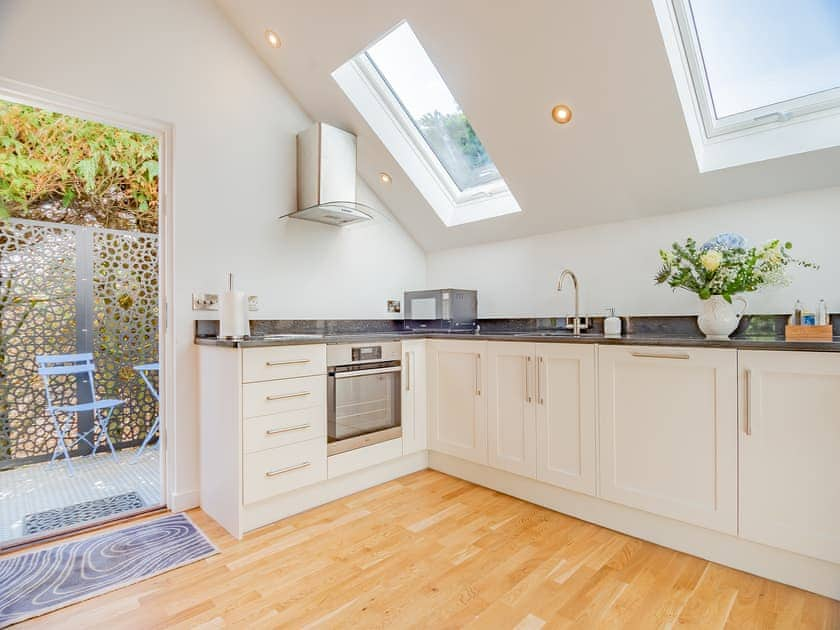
(403, 97)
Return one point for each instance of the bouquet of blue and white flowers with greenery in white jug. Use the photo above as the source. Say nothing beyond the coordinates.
(725, 266)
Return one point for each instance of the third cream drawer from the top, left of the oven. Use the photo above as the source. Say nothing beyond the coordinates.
(285, 428)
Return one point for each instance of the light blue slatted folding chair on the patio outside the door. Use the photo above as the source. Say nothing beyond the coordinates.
(63, 415)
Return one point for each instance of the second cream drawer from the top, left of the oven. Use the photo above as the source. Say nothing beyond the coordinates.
(270, 397)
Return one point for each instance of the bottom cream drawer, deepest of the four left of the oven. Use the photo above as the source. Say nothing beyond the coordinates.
(278, 470)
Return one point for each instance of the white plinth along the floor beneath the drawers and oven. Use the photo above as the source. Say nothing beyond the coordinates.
(270, 510)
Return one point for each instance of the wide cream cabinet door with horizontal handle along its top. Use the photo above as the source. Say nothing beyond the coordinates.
(668, 420)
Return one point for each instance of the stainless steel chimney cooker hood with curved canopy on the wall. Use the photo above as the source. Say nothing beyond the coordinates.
(326, 177)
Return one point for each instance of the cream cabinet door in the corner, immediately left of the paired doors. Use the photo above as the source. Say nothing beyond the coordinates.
(457, 407)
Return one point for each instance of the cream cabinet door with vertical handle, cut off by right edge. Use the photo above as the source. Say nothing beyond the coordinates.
(790, 451)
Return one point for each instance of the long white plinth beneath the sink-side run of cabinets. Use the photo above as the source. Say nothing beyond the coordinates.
(775, 564)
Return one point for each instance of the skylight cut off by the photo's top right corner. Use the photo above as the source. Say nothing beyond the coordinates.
(757, 79)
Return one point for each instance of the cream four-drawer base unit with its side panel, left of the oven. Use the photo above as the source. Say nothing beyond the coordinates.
(263, 428)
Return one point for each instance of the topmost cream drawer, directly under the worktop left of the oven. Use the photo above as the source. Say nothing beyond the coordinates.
(265, 364)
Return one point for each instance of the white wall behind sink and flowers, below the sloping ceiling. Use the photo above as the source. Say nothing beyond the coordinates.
(616, 262)
